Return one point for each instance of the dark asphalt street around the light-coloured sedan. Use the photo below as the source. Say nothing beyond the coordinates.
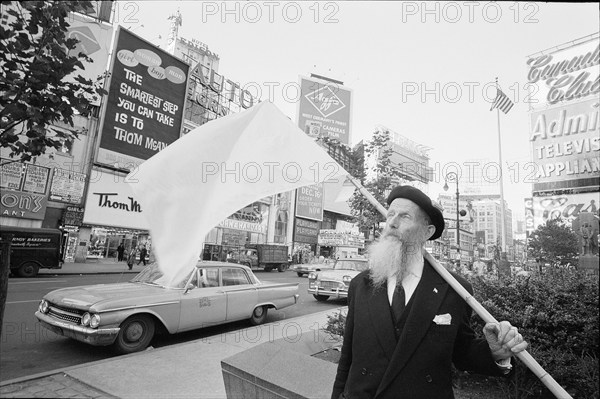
(27, 348)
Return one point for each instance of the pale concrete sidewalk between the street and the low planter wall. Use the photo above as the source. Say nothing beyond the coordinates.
(187, 370)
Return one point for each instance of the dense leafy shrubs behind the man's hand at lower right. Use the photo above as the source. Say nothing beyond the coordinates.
(557, 313)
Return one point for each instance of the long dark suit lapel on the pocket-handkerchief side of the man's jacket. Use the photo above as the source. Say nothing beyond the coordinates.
(427, 299)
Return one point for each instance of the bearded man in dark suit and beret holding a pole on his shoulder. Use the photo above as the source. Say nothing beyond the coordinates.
(405, 325)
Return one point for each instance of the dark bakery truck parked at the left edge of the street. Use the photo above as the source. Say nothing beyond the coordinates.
(34, 248)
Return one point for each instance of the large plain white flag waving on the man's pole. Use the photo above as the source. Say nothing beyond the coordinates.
(217, 169)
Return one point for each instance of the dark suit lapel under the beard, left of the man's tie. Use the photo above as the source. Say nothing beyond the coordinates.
(382, 320)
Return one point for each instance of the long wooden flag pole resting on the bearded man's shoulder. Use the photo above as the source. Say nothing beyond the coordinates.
(523, 356)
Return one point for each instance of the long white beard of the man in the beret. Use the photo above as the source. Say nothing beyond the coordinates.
(387, 257)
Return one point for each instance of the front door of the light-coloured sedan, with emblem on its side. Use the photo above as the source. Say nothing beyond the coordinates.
(204, 305)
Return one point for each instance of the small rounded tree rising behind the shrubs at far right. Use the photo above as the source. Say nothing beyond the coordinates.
(553, 242)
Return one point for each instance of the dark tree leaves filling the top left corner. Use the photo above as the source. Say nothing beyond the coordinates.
(37, 82)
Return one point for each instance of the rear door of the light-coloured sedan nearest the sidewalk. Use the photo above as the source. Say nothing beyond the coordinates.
(241, 293)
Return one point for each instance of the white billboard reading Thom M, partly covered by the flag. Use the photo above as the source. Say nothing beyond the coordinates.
(111, 202)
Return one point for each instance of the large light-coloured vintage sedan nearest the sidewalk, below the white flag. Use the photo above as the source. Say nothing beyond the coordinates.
(127, 315)
